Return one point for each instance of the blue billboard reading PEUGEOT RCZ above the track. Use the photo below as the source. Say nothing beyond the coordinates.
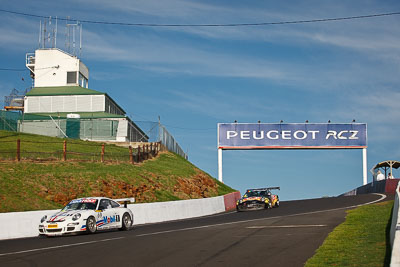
(291, 135)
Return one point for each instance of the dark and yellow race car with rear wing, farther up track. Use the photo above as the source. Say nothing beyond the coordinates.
(260, 198)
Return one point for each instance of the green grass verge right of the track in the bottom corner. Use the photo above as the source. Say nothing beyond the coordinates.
(362, 240)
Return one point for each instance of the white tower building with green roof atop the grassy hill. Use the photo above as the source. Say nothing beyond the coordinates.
(60, 89)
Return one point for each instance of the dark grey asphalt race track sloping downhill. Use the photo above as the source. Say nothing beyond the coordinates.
(284, 236)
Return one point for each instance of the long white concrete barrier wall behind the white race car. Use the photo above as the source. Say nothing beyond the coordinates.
(25, 224)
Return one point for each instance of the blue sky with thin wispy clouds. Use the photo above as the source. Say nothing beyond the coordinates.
(196, 77)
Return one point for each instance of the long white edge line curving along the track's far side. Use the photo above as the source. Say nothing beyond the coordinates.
(261, 219)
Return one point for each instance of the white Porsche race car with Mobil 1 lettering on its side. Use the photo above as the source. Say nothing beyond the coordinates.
(88, 215)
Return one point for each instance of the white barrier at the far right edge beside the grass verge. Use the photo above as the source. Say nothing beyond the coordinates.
(395, 231)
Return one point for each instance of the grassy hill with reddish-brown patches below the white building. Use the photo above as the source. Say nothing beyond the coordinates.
(35, 185)
